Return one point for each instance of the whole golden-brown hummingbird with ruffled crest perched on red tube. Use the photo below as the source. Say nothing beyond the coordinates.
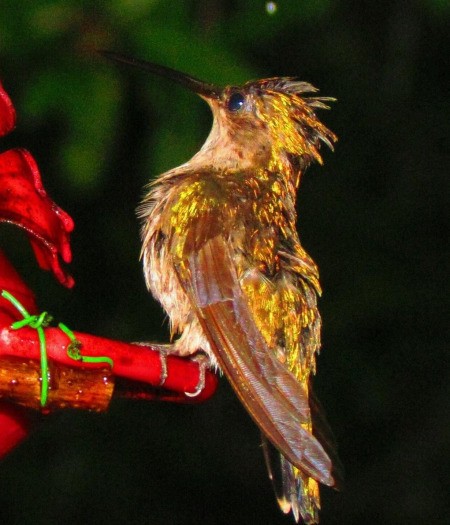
(222, 255)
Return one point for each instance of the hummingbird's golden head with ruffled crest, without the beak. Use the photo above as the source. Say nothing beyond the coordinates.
(271, 121)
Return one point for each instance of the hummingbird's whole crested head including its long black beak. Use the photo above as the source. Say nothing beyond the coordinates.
(267, 123)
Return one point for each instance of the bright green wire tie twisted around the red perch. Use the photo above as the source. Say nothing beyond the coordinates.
(39, 322)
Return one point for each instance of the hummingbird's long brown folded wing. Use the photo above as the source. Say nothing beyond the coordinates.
(271, 394)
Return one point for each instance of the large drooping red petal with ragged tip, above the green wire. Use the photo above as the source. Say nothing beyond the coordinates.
(24, 202)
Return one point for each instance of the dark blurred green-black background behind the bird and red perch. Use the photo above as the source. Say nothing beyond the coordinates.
(375, 219)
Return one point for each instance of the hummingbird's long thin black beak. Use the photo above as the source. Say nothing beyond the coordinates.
(197, 86)
